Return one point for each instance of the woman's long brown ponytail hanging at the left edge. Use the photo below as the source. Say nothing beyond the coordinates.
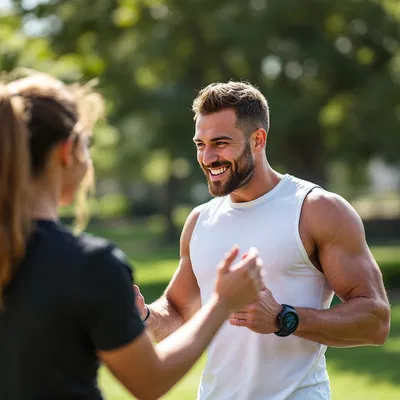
(14, 185)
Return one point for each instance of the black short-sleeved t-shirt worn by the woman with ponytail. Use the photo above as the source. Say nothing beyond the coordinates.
(70, 297)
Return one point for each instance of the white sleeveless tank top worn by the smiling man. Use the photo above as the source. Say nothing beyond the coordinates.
(241, 364)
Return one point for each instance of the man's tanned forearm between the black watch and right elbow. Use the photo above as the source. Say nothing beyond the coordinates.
(357, 322)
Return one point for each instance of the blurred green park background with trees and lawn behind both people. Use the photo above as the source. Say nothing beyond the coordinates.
(331, 73)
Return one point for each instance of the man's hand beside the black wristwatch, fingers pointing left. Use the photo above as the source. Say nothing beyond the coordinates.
(260, 317)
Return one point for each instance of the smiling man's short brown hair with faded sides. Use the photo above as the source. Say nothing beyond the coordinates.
(250, 106)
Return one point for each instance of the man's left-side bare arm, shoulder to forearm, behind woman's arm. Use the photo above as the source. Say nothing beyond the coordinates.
(181, 299)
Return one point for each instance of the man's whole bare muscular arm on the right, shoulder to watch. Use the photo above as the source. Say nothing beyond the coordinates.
(363, 317)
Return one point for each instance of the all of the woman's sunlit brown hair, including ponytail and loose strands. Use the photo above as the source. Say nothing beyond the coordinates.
(36, 113)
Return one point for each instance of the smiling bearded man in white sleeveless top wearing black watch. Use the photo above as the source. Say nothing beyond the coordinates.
(312, 243)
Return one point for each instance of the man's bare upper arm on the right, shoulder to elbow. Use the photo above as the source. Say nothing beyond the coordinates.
(343, 253)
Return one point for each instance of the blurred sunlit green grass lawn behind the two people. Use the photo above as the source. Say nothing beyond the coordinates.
(364, 373)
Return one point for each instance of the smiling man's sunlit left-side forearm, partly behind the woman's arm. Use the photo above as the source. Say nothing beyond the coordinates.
(163, 320)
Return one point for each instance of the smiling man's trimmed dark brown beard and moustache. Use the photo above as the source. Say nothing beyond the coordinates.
(241, 171)
